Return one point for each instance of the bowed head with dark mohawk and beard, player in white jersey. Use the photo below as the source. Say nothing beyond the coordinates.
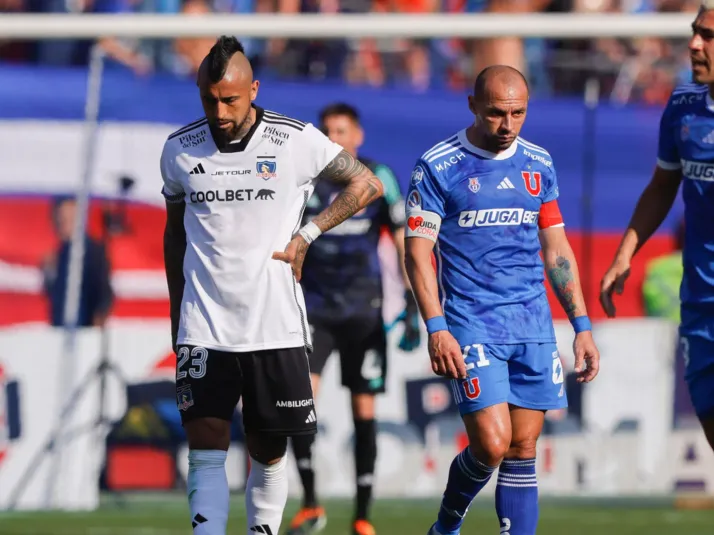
(225, 80)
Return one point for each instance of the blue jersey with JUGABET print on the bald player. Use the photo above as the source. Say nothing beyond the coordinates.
(482, 210)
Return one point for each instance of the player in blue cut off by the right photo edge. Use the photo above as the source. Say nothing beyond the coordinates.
(685, 155)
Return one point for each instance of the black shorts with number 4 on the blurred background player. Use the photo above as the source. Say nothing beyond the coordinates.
(362, 345)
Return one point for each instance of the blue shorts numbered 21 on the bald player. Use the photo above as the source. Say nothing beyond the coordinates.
(525, 375)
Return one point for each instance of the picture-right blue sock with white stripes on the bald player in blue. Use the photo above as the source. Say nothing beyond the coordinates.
(517, 497)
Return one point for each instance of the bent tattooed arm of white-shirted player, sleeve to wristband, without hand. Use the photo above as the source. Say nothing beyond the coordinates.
(343, 169)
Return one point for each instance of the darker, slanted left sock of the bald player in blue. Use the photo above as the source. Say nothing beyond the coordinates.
(467, 476)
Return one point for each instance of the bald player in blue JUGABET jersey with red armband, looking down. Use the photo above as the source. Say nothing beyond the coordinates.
(485, 202)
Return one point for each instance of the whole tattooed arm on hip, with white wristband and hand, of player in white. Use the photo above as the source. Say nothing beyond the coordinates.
(361, 188)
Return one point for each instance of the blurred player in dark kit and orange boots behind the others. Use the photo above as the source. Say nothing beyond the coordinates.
(343, 293)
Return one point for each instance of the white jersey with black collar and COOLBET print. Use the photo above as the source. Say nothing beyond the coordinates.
(243, 203)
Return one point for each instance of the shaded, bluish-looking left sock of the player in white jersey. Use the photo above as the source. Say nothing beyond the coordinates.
(208, 495)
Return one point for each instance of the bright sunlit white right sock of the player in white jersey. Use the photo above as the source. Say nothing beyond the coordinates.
(265, 496)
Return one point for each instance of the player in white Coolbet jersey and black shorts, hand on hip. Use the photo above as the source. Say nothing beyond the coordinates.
(236, 184)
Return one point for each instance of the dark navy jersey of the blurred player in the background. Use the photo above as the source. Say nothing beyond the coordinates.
(342, 275)
